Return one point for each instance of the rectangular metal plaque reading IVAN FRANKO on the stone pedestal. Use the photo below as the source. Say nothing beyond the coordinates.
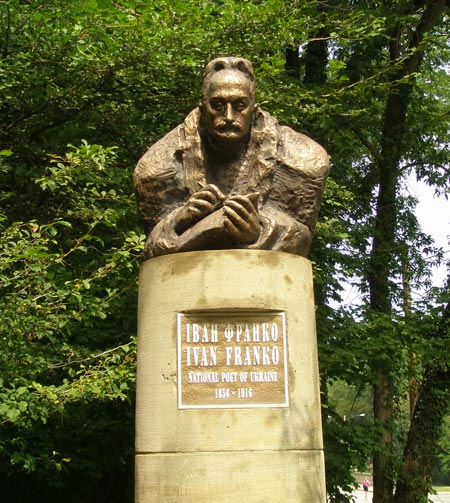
(232, 359)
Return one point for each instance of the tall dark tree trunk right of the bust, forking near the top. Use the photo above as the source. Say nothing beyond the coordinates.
(382, 253)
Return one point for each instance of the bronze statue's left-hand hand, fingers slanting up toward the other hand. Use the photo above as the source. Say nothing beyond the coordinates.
(198, 206)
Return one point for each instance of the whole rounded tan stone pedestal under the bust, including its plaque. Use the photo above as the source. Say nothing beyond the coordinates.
(228, 406)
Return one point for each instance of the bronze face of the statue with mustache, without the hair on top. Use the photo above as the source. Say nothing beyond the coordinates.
(227, 107)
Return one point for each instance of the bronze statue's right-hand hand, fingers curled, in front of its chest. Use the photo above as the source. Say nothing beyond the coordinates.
(242, 218)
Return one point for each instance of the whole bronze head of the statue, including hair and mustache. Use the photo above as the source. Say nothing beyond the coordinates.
(228, 100)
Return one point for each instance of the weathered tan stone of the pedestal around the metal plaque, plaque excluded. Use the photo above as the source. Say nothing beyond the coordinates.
(221, 455)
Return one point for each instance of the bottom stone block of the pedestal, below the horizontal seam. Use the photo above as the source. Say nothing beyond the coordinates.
(231, 477)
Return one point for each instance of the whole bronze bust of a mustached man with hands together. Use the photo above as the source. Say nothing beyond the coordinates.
(230, 176)
